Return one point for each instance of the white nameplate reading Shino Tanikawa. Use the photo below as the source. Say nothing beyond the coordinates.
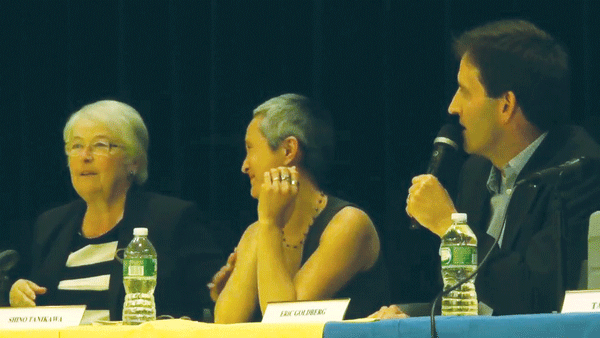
(40, 317)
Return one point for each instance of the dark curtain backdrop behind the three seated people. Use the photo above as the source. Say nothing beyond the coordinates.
(195, 69)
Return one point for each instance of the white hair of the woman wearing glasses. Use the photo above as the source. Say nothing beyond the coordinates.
(127, 126)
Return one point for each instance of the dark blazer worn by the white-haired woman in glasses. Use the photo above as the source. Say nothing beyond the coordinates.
(187, 254)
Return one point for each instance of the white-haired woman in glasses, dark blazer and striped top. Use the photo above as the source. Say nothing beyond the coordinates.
(74, 246)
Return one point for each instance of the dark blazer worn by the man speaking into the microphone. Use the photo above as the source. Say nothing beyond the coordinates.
(546, 227)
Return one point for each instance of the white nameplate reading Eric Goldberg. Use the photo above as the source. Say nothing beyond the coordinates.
(306, 312)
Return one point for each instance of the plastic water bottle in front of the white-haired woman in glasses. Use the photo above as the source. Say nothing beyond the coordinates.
(139, 278)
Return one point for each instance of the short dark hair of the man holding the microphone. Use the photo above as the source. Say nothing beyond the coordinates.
(517, 56)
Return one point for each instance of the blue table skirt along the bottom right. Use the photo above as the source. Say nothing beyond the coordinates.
(572, 325)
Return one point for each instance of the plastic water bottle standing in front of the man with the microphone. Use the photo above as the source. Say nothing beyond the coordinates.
(458, 252)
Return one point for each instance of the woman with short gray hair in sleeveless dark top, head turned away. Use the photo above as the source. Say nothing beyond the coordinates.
(305, 245)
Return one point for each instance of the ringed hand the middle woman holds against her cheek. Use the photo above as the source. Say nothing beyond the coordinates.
(278, 191)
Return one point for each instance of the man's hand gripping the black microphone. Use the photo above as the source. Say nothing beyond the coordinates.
(429, 203)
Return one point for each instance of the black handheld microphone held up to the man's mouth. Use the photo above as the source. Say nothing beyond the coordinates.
(443, 163)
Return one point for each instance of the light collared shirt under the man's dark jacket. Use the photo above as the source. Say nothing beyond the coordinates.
(501, 183)
